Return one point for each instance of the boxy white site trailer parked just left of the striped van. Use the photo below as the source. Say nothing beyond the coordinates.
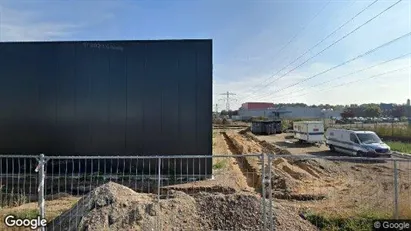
(309, 131)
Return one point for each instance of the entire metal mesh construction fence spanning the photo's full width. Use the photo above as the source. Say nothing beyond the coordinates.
(245, 192)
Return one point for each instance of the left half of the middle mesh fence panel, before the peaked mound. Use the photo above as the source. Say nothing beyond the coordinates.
(105, 191)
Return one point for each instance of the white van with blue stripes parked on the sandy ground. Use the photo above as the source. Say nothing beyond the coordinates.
(357, 143)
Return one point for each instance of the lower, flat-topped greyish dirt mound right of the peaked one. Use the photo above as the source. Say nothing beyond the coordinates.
(243, 212)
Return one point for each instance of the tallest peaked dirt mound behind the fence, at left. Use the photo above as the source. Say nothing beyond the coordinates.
(117, 207)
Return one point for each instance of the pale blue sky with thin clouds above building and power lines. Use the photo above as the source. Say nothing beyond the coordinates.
(247, 40)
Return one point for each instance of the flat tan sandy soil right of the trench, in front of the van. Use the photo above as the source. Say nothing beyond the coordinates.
(338, 187)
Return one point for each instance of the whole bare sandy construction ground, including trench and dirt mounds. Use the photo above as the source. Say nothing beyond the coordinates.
(341, 189)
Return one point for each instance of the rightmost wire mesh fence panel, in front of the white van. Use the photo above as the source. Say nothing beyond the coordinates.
(339, 193)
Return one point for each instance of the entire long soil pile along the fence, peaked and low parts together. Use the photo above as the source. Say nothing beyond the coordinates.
(116, 207)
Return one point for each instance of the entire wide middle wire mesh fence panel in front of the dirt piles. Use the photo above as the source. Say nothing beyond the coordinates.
(155, 193)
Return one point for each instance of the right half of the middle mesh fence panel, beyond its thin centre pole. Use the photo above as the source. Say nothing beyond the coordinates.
(230, 200)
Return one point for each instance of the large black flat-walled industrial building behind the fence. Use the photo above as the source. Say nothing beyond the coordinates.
(108, 98)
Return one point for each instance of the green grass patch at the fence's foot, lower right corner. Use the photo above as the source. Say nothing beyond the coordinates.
(333, 223)
